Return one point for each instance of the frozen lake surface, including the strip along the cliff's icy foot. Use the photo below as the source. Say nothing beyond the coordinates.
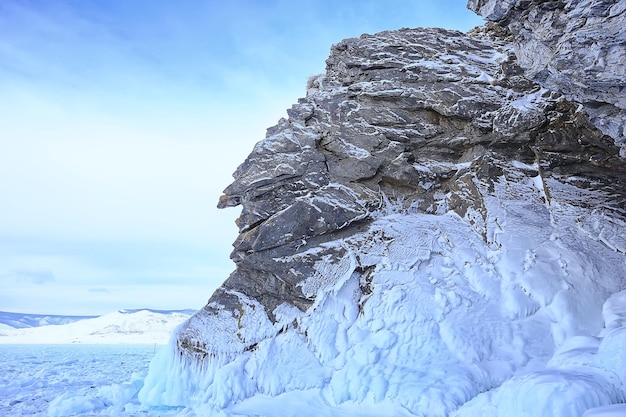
(103, 380)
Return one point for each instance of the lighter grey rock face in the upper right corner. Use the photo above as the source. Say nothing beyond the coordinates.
(575, 47)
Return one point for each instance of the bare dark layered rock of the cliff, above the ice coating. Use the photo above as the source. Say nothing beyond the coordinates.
(417, 117)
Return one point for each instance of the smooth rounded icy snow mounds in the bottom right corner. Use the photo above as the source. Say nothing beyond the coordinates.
(585, 373)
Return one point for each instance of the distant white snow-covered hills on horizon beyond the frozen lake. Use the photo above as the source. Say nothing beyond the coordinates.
(141, 326)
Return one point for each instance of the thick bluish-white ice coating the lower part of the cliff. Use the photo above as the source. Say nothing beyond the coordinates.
(443, 324)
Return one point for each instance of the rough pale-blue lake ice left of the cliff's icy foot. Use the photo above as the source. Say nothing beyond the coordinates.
(64, 380)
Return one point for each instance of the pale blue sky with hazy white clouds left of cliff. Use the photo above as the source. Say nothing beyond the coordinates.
(121, 122)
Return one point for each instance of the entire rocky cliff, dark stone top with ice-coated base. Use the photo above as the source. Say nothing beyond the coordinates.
(439, 214)
